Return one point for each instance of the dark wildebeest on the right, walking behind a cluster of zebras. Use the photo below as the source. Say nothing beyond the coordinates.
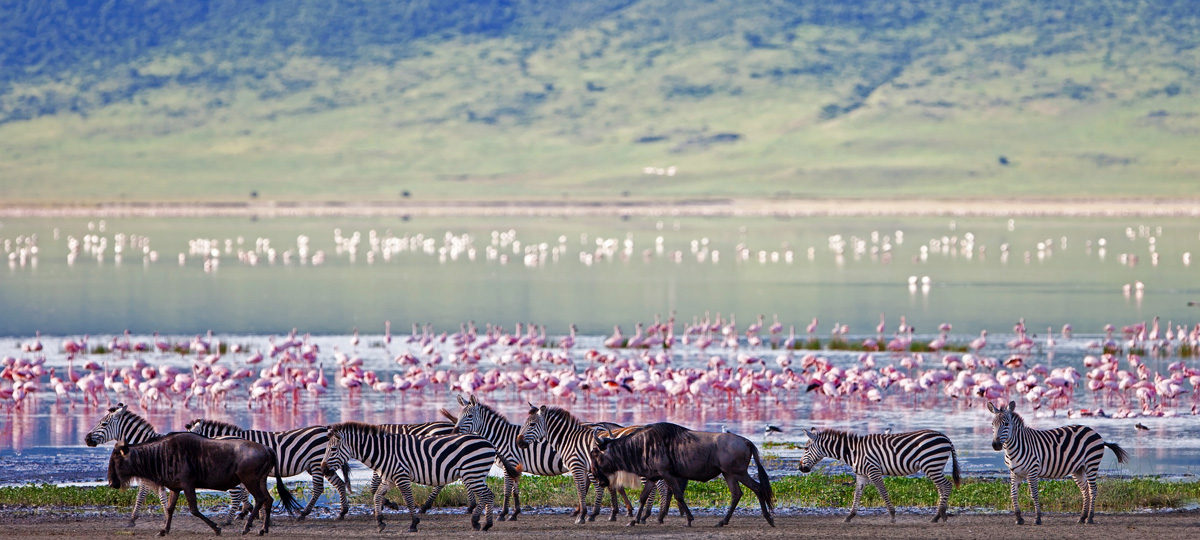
(675, 454)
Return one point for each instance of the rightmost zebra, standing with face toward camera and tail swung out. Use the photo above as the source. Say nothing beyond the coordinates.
(1034, 455)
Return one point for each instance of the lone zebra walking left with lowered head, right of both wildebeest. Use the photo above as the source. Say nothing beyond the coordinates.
(874, 457)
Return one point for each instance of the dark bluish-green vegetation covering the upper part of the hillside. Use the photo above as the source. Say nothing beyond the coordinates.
(77, 56)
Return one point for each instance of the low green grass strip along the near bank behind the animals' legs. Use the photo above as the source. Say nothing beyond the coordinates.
(807, 491)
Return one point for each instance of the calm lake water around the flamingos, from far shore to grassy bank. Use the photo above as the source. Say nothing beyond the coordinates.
(187, 278)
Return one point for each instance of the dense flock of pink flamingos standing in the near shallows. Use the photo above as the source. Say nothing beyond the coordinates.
(711, 362)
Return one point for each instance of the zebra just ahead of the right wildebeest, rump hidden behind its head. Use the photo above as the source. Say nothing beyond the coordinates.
(572, 440)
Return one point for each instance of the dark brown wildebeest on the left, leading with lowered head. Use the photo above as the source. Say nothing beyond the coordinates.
(188, 461)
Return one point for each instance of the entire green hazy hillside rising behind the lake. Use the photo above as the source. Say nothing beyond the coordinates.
(183, 100)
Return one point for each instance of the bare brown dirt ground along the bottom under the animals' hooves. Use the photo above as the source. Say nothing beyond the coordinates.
(1160, 526)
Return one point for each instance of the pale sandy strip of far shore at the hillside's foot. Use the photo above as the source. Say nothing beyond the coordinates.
(683, 208)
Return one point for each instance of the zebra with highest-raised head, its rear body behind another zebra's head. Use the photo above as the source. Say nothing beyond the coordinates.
(538, 459)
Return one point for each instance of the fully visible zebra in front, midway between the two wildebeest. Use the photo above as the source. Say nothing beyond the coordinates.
(404, 459)
